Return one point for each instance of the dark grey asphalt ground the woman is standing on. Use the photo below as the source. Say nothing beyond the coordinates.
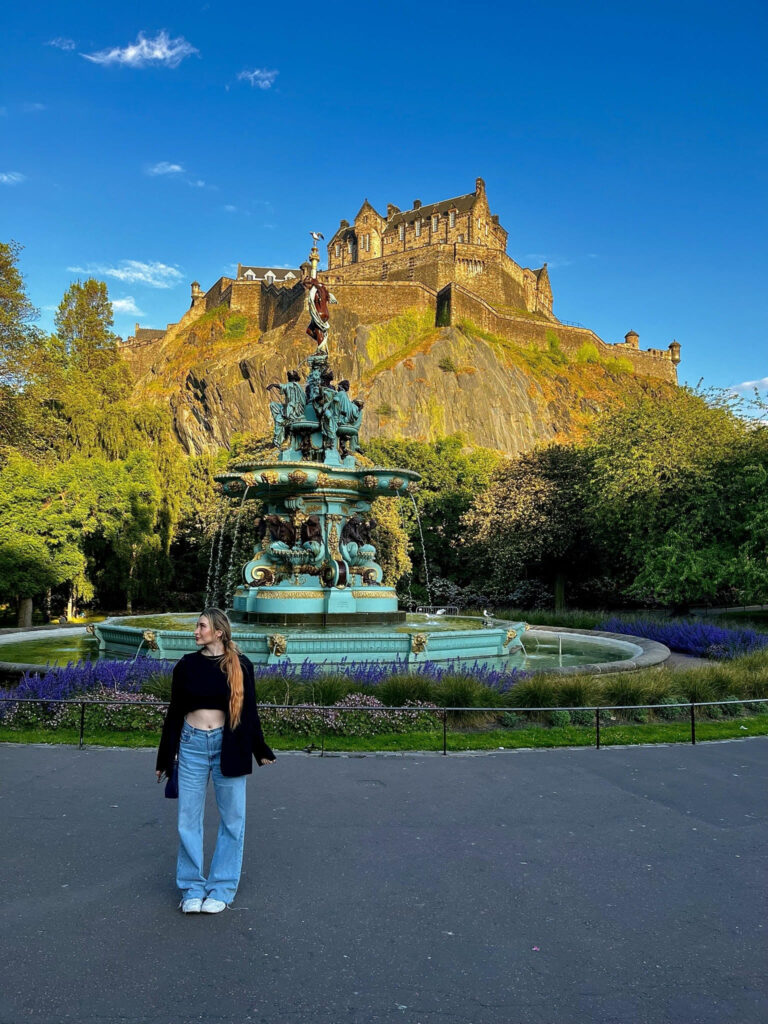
(625, 885)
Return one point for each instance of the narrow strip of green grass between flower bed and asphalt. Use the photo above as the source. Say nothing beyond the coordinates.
(527, 737)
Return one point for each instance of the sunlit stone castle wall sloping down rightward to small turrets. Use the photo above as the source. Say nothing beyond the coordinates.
(456, 304)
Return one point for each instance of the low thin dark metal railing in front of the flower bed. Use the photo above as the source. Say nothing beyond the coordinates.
(324, 711)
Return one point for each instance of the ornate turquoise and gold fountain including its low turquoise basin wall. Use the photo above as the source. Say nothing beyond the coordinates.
(314, 590)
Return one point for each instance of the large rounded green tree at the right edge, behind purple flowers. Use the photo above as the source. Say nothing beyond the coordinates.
(679, 499)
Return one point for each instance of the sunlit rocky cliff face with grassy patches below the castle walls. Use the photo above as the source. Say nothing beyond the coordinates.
(417, 380)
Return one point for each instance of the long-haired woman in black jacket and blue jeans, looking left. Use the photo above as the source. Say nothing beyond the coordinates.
(212, 726)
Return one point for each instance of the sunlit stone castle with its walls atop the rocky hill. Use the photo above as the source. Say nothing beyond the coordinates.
(447, 259)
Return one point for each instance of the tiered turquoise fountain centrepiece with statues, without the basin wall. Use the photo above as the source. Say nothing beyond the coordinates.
(314, 563)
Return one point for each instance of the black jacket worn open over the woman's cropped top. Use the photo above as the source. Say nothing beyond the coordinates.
(239, 746)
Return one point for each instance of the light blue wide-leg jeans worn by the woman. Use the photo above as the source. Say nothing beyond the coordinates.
(199, 758)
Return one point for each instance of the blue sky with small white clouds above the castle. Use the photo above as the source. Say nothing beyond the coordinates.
(153, 145)
